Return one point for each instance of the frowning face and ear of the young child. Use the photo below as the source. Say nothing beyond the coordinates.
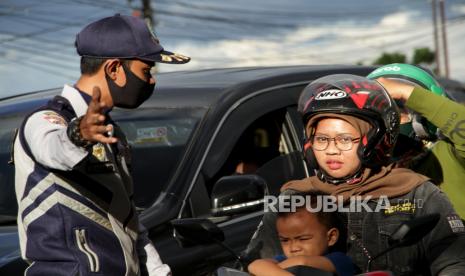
(301, 234)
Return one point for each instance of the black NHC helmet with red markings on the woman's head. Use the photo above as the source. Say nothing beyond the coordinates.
(359, 97)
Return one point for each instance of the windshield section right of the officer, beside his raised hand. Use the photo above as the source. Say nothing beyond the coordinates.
(158, 139)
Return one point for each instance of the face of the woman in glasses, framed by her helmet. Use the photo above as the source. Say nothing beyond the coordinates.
(335, 162)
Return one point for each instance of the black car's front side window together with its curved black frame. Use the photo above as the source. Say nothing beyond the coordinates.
(256, 132)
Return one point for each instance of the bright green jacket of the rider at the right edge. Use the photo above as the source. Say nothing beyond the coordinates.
(445, 163)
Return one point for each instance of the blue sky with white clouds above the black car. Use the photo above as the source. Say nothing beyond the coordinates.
(37, 37)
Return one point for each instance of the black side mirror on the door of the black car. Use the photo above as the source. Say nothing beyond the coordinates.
(235, 194)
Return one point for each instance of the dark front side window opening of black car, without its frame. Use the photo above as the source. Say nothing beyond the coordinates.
(262, 149)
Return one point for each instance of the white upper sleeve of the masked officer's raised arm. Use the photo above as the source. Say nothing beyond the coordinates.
(45, 134)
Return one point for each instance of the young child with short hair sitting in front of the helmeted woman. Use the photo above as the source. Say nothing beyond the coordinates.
(309, 237)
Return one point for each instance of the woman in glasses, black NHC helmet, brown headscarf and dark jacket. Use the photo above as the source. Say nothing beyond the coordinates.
(351, 127)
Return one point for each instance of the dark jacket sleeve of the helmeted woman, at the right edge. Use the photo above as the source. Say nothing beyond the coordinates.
(444, 245)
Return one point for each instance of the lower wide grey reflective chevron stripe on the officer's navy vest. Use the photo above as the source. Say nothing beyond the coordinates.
(66, 201)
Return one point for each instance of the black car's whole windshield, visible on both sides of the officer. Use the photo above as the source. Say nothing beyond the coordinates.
(158, 139)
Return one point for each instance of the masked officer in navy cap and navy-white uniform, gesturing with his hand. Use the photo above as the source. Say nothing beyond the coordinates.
(76, 213)
